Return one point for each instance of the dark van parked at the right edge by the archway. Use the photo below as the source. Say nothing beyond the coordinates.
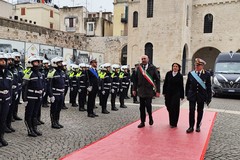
(226, 74)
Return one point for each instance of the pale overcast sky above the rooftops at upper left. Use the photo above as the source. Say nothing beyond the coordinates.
(92, 5)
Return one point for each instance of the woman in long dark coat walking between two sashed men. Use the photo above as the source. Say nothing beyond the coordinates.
(173, 91)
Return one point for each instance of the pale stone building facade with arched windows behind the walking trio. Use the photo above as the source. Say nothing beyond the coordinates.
(180, 30)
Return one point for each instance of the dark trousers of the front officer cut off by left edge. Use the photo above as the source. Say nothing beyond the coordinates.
(4, 108)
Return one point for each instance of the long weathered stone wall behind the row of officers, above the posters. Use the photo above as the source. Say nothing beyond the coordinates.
(110, 46)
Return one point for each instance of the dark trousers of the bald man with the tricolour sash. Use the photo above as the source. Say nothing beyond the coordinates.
(145, 103)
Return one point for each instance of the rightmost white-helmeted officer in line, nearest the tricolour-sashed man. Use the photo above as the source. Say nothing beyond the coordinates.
(124, 83)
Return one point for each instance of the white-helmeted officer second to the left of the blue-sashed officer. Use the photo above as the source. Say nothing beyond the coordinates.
(73, 85)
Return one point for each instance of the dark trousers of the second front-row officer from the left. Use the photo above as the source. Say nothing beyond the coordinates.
(31, 111)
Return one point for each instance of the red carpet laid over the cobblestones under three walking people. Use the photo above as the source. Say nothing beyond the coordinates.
(157, 142)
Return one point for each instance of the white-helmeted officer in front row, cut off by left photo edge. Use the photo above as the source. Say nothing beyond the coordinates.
(5, 95)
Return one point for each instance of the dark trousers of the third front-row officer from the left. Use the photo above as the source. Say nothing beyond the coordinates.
(56, 107)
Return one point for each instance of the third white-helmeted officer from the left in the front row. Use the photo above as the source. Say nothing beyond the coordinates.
(56, 91)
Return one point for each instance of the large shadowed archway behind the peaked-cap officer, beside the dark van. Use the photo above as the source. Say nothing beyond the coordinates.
(209, 54)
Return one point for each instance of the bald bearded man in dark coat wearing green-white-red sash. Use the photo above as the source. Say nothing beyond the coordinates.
(147, 85)
